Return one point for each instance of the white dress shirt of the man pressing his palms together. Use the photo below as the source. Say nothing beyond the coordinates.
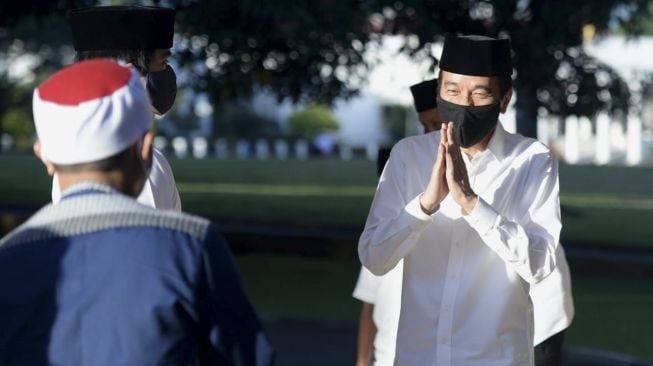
(466, 278)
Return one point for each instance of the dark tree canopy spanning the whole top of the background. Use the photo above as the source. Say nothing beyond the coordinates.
(314, 51)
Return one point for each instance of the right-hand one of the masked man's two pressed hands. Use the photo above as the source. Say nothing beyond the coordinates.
(456, 172)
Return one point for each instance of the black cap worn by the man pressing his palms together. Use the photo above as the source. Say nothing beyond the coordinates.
(476, 55)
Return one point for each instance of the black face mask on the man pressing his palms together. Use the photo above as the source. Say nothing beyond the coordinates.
(471, 123)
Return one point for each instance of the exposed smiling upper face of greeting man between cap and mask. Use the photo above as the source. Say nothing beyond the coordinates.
(470, 90)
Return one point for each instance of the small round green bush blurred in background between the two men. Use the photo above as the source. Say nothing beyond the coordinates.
(312, 121)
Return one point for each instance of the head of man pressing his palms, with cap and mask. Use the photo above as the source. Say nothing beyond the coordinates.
(475, 85)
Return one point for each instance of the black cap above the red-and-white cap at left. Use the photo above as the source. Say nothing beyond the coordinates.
(122, 28)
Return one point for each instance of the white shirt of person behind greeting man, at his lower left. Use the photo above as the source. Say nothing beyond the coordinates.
(384, 292)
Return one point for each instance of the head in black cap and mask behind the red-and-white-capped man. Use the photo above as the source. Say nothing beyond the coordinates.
(140, 36)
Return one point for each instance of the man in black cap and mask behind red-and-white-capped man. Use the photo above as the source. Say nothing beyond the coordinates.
(142, 37)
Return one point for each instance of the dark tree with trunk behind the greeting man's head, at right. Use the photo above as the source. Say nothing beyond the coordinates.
(545, 34)
